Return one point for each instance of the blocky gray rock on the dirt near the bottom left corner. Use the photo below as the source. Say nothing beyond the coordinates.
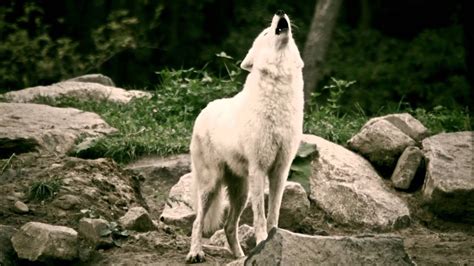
(40, 242)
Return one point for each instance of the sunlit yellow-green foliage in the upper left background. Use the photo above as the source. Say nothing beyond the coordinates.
(30, 54)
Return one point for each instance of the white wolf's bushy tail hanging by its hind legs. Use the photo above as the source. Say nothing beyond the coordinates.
(213, 218)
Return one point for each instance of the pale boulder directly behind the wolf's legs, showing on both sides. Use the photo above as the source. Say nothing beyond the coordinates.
(179, 207)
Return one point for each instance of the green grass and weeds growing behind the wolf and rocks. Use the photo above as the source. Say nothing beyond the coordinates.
(163, 124)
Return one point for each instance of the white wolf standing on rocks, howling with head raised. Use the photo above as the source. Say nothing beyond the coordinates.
(238, 142)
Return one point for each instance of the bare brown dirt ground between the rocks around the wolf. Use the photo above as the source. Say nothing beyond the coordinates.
(103, 188)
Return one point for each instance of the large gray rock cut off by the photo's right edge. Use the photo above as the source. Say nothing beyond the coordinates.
(449, 181)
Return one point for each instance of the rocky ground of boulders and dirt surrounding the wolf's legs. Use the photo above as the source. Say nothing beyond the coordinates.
(364, 213)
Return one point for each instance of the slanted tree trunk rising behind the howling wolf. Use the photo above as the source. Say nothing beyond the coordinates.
(317, 42)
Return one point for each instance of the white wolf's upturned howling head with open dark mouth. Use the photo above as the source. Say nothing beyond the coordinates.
(273, 45)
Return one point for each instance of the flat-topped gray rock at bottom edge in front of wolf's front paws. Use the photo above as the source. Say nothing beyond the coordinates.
(286, 248)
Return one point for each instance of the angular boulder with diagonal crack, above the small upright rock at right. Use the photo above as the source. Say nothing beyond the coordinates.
(383, 139)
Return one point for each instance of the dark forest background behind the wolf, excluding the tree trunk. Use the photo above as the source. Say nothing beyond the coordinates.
(412, 52)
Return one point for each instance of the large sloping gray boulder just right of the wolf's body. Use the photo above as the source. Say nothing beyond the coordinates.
(348, 188)
